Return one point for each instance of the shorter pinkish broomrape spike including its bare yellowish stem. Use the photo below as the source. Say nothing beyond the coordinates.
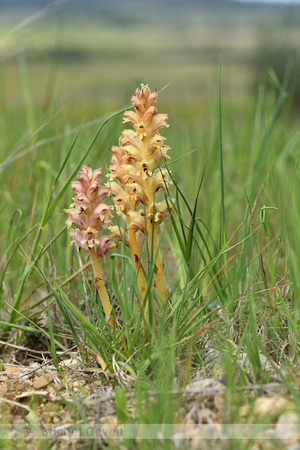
(90, 216)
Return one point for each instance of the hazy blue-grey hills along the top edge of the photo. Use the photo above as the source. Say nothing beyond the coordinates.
(161, 10)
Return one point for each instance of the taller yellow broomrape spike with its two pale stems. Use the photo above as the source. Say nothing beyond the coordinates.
(135, 167)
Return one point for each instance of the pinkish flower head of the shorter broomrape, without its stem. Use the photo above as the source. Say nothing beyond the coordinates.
(88, 213)
